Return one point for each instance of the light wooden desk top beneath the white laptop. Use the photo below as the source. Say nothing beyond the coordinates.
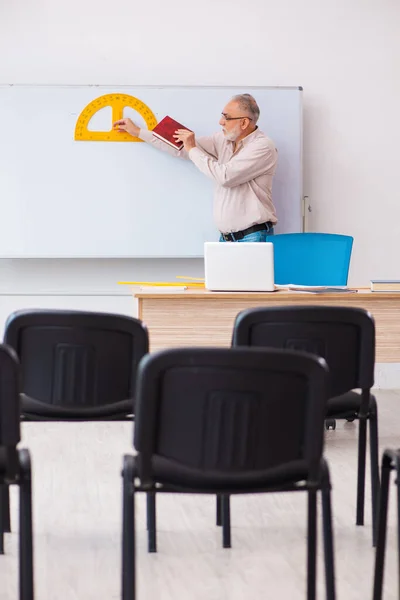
(364, 294)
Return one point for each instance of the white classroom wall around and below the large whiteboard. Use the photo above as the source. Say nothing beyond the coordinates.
(346, 55)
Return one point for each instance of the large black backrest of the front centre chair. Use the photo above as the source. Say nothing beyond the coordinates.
(226, 410)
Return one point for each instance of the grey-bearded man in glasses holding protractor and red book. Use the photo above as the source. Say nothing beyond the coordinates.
(240, 159)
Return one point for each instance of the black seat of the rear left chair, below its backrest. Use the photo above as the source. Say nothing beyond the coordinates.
(34, 410)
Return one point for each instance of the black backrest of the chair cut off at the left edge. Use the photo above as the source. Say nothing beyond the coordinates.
(10, 434)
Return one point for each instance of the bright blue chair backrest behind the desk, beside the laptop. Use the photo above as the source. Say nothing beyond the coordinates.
(311, 258)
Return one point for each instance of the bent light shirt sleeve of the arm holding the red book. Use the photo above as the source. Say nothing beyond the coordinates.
(248, 164)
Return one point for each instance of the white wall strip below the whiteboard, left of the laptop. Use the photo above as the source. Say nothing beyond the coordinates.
(82, 284)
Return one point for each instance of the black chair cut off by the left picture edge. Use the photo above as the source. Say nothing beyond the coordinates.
(15, 466)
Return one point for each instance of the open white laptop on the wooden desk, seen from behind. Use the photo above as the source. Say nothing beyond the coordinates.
(239, 266)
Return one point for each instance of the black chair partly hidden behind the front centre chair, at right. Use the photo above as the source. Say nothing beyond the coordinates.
(345, 337)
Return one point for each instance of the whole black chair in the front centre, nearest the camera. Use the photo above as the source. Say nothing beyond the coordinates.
(214, 421)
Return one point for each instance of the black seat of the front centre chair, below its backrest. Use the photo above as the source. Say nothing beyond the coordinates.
(170, 472)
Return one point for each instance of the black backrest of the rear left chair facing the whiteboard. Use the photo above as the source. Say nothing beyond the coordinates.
(77, 359)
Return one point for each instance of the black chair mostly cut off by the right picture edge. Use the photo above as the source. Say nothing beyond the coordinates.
(390, 462)
